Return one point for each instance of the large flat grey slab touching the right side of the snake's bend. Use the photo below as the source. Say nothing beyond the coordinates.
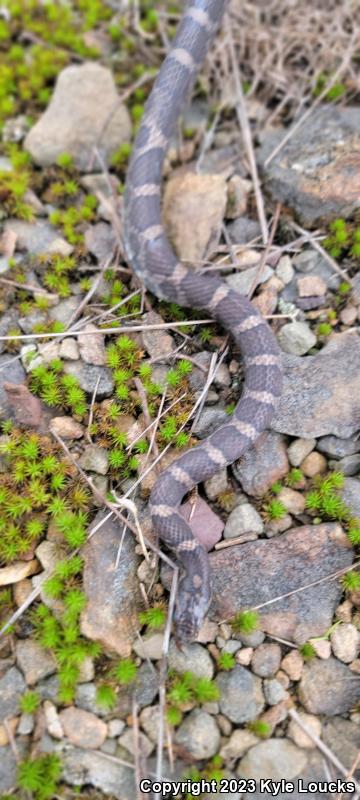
(315, 400)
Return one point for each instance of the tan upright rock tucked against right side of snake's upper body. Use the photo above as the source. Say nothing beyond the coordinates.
(197, 203)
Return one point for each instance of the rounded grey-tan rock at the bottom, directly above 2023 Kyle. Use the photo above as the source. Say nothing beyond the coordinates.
(275, 759)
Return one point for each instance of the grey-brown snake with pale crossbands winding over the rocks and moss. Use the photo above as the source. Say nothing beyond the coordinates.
(151, 256)
